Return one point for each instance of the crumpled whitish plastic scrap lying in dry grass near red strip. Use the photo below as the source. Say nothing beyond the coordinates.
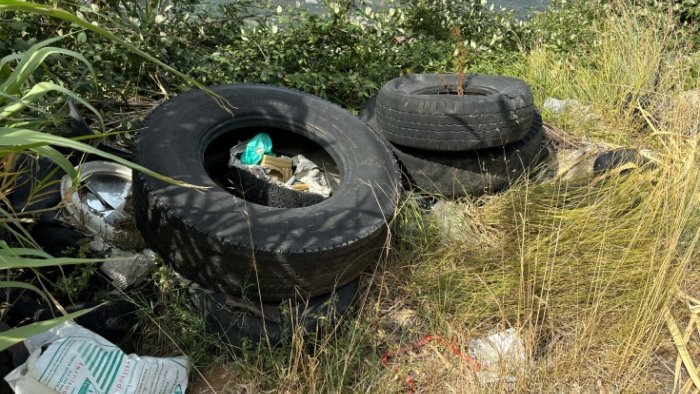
(500, 356)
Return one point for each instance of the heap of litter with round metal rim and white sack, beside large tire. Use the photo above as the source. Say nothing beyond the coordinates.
(95, 219)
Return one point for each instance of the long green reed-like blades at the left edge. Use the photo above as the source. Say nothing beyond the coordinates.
(24, 95)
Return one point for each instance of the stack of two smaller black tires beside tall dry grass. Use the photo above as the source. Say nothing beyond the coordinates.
(459, 136)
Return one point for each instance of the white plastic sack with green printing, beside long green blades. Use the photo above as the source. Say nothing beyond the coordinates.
(71, 359)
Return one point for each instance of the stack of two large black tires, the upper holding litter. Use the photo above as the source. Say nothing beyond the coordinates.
(245, 255)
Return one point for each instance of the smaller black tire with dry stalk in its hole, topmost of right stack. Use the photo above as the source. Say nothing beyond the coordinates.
(493, 112)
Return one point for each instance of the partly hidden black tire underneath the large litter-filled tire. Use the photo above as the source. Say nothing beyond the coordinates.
(236, 325)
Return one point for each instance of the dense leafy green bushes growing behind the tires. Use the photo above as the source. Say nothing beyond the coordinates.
(343, 51)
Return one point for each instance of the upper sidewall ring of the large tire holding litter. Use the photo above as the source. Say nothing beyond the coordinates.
(366, 194)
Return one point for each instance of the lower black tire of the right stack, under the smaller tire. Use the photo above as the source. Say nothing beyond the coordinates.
(469, 173)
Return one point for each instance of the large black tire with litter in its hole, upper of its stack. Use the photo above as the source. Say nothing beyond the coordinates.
(240, 248)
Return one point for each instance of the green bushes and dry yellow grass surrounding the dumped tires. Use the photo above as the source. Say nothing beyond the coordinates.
(597, 273)
